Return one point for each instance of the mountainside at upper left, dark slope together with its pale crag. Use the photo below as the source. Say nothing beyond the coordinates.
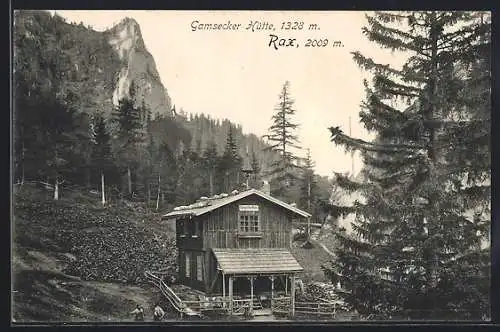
(76, 60)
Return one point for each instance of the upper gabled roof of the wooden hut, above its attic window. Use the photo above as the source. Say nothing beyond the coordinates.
(207, 205)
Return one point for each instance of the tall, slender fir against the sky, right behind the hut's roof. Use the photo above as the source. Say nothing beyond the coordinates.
(282, 139)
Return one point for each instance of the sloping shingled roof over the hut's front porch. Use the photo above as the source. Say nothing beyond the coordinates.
(256, 261)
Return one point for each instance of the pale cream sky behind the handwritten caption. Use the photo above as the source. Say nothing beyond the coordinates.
(234, 74)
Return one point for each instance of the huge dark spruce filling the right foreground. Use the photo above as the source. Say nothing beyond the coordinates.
(415, 251)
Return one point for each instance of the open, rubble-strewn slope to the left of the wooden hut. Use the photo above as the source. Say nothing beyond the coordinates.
(74, 262)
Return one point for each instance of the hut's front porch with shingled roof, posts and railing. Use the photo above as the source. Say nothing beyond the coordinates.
(257, 281)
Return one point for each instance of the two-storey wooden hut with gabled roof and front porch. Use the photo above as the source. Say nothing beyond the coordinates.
(237, 246)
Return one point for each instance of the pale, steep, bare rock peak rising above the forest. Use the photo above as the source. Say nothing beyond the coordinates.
(138, 66)
